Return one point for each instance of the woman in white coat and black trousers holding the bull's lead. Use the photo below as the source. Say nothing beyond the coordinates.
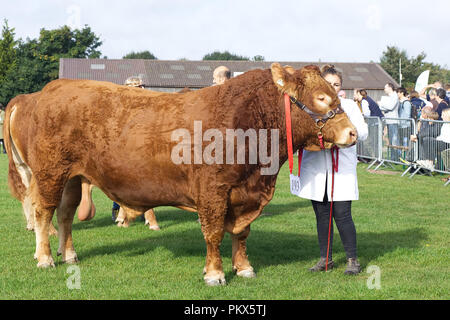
(316, 185)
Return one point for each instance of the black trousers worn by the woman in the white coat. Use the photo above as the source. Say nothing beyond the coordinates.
(342, 215)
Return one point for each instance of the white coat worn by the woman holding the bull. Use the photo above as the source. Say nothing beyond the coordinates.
(316, 166)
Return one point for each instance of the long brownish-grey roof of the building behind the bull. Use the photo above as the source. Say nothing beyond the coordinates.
(199, 74)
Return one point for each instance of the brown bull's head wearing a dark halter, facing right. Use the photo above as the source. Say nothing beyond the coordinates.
(310, 93)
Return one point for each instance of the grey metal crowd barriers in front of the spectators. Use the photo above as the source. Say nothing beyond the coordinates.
(415, 145)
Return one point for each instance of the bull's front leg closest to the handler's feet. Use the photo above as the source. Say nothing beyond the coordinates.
(241, 265)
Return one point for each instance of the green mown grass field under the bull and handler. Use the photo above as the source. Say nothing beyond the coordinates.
(403, 228)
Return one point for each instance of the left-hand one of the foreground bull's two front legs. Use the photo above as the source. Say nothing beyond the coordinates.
(212, 218)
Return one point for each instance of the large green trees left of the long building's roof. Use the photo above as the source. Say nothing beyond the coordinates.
(37, 60)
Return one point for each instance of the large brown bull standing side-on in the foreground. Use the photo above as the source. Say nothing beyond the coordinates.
(77, 127)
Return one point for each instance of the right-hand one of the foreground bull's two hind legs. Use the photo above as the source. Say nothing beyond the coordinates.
(65, 213)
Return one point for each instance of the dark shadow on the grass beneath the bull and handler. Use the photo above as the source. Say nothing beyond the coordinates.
(265, 248)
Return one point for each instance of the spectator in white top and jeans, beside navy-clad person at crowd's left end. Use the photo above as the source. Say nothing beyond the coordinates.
(389, 105)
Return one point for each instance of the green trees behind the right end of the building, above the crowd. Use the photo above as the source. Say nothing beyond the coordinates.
(412, 67)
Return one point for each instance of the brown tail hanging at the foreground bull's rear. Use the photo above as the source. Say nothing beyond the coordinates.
(16, 186)
